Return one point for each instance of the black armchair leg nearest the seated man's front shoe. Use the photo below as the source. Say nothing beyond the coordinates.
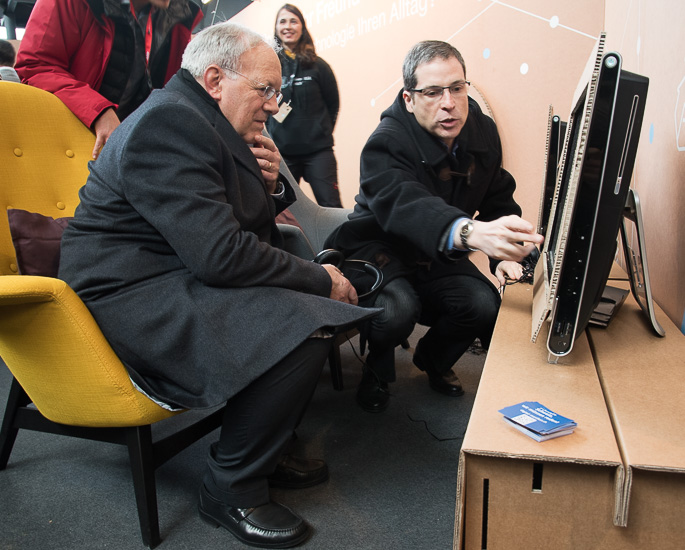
(140, 451)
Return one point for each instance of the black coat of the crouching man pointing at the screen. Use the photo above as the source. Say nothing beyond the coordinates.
(412, 190)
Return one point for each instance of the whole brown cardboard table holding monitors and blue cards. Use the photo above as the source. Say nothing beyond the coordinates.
(593, 488)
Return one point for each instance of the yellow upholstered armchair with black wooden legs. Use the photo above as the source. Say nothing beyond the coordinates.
(59, 358)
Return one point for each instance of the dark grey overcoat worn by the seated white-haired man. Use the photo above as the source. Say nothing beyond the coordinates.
(171, 250)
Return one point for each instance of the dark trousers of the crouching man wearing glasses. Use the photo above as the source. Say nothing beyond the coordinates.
(458, 308)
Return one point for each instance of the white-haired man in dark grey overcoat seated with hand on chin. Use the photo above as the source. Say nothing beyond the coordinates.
(175, 251)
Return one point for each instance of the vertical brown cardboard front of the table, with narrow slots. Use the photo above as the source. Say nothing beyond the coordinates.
(569, 510)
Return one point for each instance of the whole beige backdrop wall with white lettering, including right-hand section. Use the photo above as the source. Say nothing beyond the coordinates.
(522, 55)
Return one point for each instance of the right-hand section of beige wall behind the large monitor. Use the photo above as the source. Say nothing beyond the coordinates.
(651, 42)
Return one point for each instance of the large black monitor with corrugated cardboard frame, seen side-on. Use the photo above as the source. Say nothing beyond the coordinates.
(592, 185)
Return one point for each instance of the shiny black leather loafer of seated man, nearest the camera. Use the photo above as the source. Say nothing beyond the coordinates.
(271, 525)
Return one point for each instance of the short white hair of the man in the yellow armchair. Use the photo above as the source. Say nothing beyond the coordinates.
(222, 44)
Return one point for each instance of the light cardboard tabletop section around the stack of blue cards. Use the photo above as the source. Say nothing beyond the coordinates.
(517, 370)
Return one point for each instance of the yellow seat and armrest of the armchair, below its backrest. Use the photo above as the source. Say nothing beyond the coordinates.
(56, 351)
